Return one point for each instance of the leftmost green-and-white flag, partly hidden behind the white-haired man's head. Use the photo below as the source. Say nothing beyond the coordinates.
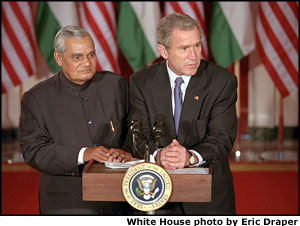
(50, 18)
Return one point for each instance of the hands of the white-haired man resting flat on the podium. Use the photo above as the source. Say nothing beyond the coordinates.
(101, 154)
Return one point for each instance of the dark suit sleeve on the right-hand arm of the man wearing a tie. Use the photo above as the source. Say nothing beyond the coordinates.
(221, 125)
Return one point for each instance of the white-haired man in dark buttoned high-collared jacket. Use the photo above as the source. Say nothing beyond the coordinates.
(73, 117)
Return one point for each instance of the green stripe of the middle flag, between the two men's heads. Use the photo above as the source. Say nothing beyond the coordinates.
(131, 38)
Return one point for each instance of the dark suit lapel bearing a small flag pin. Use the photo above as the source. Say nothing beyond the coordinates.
(193, 101)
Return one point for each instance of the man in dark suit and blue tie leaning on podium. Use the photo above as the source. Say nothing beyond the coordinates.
(199, 110)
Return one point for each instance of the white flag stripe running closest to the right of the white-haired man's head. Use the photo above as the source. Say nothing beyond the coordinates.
(101, 56)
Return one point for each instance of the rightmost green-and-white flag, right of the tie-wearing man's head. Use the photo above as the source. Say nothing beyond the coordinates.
(231, 34)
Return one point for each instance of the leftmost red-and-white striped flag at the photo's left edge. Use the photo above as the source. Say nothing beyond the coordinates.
(18, 44)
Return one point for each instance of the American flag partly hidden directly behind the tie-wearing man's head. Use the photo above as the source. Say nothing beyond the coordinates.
(194, 10)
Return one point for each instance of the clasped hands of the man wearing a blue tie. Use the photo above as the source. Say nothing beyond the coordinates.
(174, 156)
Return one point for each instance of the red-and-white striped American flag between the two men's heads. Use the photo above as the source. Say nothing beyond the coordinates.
(99, 19)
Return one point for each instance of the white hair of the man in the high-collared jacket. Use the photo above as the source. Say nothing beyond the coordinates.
(70, 31)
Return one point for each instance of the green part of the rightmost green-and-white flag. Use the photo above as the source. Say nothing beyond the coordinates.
(223, 45)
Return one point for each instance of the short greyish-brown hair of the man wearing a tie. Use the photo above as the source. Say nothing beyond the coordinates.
(171, 22)
